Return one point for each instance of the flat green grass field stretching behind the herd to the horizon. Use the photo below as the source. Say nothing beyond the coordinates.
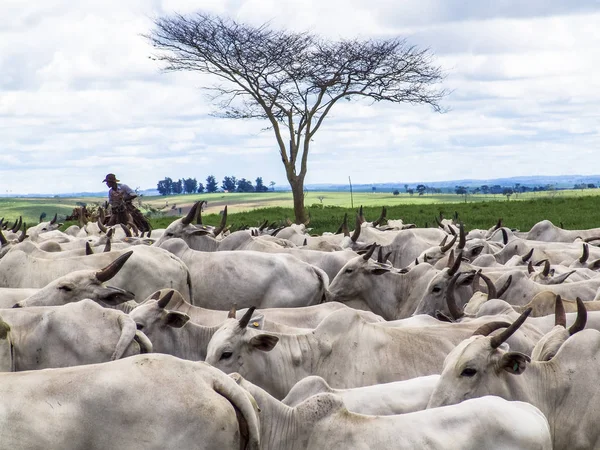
(575, 209)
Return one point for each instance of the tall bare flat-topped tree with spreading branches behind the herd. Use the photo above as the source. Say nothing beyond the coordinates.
(292, 79)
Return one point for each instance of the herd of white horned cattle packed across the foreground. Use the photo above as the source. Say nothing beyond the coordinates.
(392, 337)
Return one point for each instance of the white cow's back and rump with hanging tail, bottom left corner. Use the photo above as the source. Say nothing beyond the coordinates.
(148, 402)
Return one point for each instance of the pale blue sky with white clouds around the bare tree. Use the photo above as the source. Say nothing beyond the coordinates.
(80, 97)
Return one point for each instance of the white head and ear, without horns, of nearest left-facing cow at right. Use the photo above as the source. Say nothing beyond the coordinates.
(475, 369)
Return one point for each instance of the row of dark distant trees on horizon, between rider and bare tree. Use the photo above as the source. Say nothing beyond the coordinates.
(168, 186)
